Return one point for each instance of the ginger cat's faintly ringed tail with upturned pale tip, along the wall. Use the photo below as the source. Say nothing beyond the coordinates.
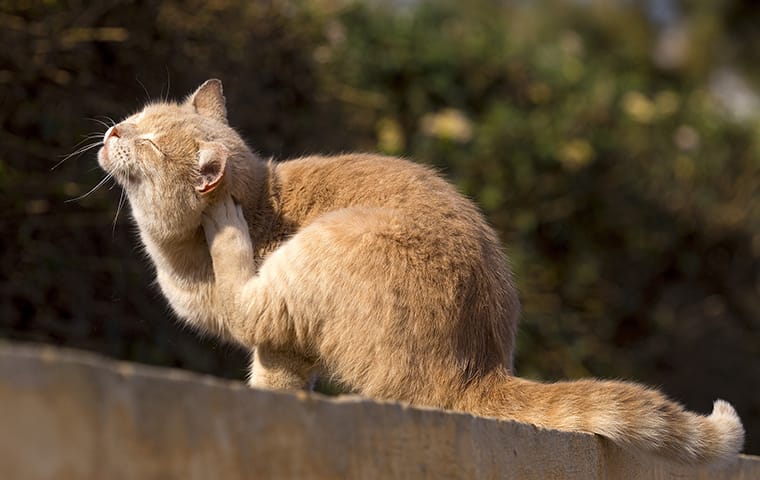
(626, 413)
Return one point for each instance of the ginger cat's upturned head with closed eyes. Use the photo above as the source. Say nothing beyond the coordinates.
(171, 158)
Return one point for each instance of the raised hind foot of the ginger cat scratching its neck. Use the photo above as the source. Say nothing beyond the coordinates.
(232, 254)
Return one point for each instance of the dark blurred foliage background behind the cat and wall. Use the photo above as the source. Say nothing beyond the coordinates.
(614, 145)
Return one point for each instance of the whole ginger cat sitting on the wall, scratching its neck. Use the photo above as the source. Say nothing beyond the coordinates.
(369, 269)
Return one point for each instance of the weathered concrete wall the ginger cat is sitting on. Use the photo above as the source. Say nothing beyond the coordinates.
(71, 415)
